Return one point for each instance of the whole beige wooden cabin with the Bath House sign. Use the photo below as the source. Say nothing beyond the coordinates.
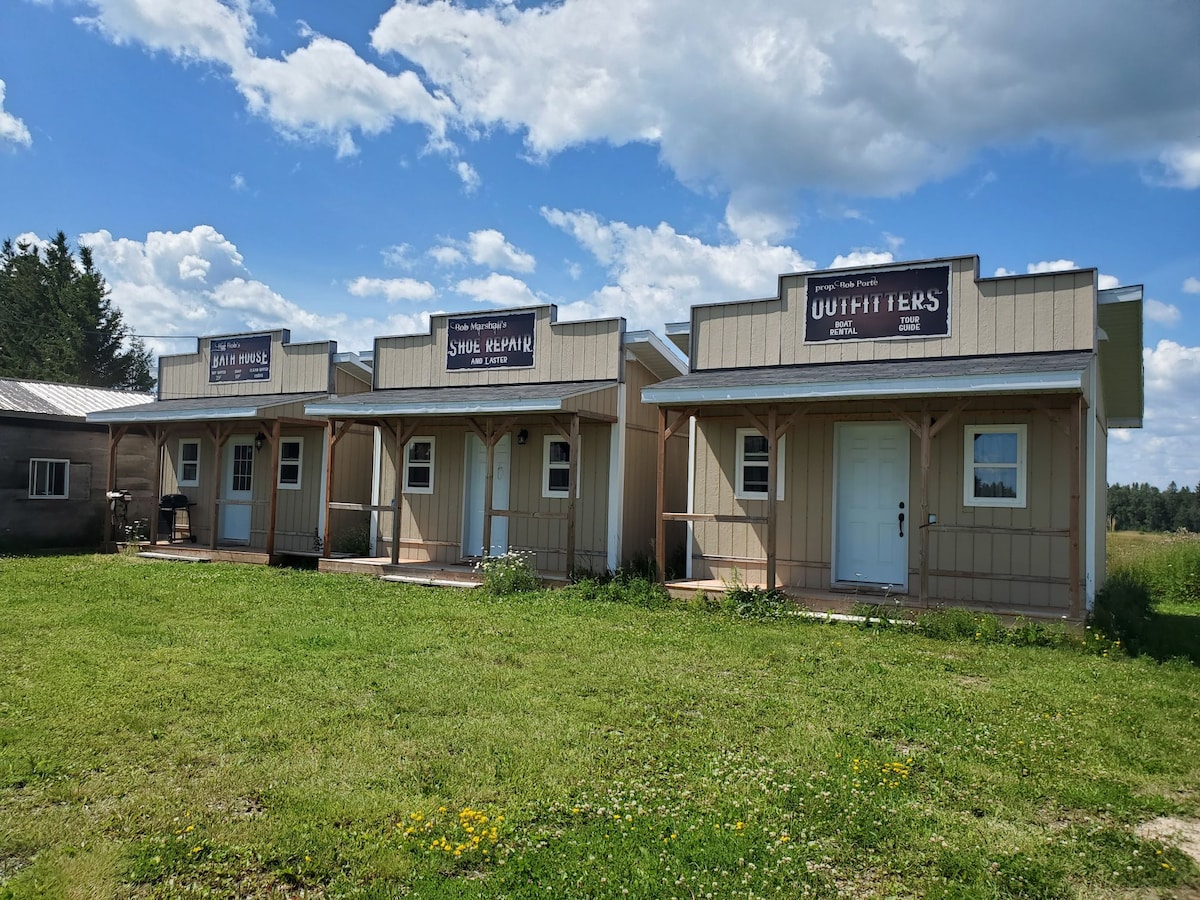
(241, 466)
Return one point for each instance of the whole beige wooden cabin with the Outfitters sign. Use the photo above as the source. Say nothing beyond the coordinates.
(911, 433)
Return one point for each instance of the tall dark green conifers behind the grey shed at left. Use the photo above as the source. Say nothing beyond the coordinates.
(58, 322)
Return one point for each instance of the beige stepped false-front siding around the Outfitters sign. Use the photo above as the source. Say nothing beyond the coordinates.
(993, 316)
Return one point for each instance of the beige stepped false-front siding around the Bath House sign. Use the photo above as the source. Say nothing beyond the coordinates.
(296, 368)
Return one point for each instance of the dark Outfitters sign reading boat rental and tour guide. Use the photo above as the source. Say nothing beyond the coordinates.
(879, 305)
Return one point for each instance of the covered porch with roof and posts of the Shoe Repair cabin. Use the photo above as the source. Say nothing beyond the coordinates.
(465, 473)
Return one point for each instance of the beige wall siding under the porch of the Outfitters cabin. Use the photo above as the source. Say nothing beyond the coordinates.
(1004, 559)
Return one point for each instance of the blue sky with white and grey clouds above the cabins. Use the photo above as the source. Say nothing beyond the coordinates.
(344, 170)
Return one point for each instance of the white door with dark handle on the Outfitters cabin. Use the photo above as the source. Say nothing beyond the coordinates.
(872, 506)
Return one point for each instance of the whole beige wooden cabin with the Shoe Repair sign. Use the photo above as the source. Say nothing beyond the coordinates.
(511, 431)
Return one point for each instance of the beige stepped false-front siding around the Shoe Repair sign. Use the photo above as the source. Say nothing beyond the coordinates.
(565, 352)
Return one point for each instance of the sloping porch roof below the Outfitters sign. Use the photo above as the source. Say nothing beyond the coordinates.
(944, 376)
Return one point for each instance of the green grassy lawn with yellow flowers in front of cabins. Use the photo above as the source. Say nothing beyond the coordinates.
(188, 731)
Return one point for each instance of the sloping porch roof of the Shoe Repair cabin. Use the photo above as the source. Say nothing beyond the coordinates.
(475, 400)
